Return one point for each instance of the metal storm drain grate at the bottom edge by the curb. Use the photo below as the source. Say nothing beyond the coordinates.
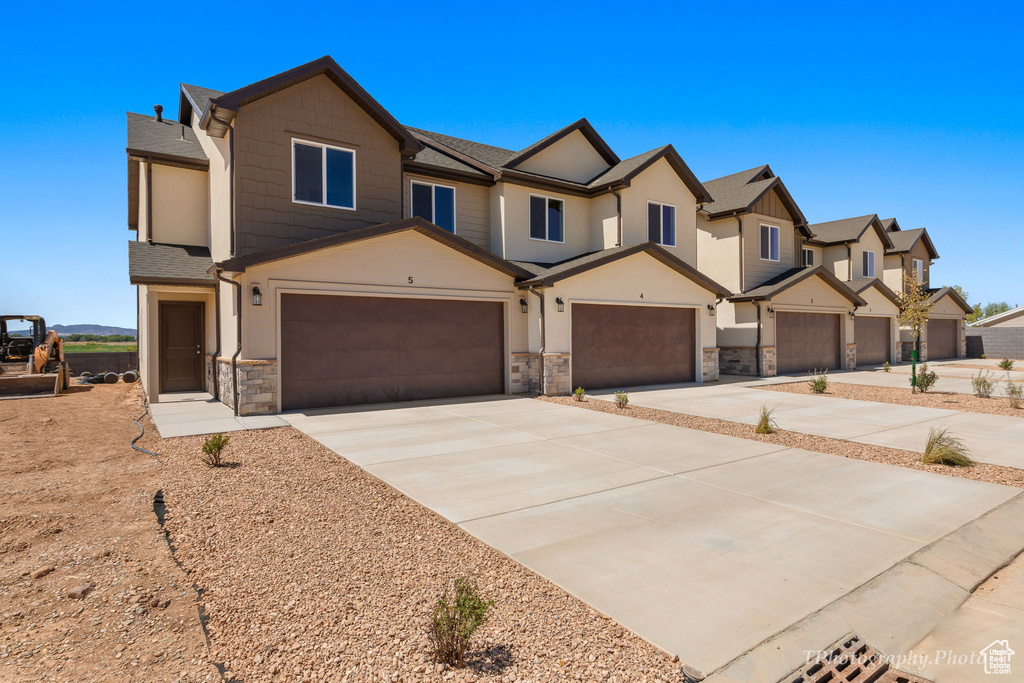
(850, 661)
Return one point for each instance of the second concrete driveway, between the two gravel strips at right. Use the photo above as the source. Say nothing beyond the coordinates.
(993, 439)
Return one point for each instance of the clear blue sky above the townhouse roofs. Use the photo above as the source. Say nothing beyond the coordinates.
(907, 110)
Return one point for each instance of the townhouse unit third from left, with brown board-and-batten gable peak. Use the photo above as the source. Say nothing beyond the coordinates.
(787, 313)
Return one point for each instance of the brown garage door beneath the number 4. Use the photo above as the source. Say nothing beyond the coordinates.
(619, 347)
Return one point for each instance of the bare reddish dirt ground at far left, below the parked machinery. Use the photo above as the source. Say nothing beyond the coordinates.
(75, 497)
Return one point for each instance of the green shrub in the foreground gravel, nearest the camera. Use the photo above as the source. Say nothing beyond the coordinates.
(459, 613)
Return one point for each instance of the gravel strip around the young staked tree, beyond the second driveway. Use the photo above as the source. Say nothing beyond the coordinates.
(947, 400)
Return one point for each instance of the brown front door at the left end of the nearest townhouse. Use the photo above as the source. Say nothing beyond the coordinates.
(181, 347)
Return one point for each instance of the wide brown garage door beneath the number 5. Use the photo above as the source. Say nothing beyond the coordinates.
(343, 351)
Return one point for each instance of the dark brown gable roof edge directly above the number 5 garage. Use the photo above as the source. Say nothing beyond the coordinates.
(240, 264)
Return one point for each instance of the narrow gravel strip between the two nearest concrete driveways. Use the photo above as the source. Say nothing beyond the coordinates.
(836, 447)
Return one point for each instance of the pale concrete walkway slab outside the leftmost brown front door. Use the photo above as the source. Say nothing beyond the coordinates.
(192, 413)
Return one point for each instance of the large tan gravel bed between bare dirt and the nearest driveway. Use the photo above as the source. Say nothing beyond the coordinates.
(312, 570)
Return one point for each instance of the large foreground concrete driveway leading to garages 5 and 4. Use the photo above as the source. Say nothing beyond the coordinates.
(705, 545)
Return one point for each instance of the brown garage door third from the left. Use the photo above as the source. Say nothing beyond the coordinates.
(806, 341)
